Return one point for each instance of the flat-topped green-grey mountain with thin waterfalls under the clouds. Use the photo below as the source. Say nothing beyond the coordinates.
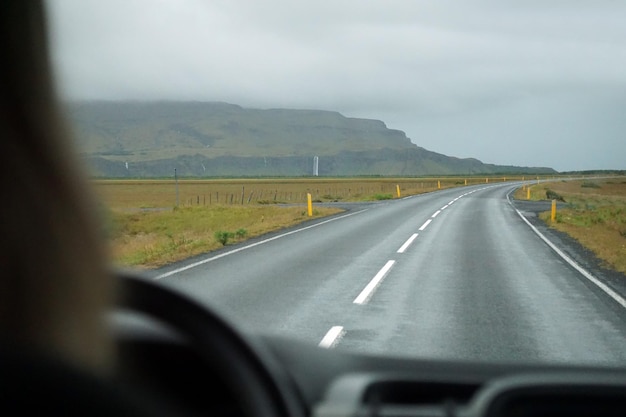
(151, 139)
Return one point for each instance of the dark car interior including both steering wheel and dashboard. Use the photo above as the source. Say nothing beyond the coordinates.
(177, 357)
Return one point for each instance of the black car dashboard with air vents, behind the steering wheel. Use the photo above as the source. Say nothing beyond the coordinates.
(297, 379)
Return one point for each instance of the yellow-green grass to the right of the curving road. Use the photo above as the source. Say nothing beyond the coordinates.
(595, 215)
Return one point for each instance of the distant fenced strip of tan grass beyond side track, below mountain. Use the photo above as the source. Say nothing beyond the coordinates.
(135, 194)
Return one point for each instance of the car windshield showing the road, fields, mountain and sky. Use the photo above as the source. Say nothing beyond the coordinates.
(423, 179)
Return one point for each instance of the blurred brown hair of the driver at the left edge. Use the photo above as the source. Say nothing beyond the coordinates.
(54, 285)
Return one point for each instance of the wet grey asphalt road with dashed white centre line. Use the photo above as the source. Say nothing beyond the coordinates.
(455, 274)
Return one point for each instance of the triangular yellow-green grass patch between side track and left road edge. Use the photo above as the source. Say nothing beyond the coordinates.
(149, 239)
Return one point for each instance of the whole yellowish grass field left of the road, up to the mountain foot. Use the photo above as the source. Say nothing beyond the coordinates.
(150, 223)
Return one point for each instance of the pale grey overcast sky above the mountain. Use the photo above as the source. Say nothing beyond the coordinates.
(530, 83)
